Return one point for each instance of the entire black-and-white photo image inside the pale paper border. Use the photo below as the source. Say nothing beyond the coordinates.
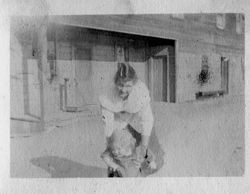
(127, 95)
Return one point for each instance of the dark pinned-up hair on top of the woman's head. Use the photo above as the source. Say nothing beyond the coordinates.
(124, 74)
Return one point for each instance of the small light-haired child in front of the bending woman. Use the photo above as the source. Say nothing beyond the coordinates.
(122, 157)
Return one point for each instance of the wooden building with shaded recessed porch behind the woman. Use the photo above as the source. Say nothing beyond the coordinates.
(60, 64)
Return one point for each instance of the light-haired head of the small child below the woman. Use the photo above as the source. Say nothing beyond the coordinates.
(122, 143)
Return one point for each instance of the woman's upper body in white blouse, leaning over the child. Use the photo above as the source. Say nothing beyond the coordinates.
(129, 104)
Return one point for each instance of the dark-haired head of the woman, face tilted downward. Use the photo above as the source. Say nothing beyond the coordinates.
(125, 78)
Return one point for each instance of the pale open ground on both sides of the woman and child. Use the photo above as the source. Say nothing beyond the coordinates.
(200, 138)
